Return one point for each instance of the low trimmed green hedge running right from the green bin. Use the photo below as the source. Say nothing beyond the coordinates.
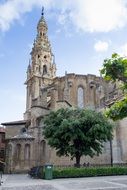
(88, 172)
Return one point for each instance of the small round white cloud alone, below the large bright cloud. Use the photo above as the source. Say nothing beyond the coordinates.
(101, 46)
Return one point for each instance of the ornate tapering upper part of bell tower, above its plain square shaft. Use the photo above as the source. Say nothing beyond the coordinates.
(41, 55)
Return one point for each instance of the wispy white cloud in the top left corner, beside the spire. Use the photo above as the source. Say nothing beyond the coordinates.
(13, 10)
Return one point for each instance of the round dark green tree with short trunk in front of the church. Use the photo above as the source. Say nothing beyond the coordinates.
(77, 132)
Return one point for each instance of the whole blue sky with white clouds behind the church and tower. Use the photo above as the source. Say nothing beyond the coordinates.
(82, 34)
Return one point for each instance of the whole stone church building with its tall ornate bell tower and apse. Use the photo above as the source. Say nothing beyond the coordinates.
(25, 144)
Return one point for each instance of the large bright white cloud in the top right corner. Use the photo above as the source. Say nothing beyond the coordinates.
(100, 16)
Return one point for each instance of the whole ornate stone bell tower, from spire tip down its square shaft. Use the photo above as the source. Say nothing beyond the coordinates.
(42, 68)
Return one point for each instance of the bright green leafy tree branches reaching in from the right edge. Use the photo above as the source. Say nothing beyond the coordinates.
(115, 70)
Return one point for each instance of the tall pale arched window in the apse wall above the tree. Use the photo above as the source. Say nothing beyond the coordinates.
(80, 97)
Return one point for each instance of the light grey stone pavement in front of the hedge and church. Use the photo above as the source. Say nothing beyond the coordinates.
(24, 182)
